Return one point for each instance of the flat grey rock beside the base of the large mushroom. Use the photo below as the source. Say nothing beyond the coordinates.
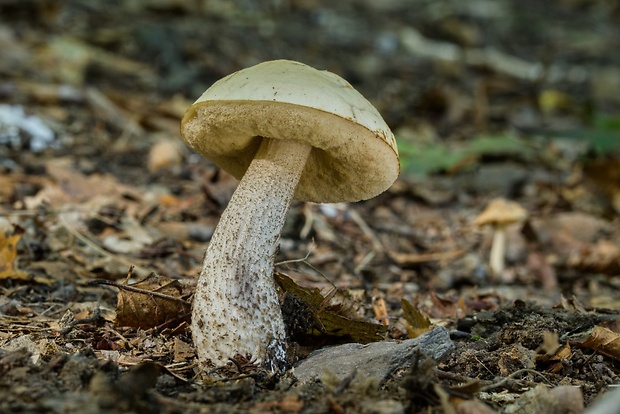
(377, 359)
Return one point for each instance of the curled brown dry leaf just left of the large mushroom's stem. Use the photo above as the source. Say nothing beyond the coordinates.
(151, 302)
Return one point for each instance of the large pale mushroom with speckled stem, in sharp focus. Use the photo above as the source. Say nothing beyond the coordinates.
(285, 130)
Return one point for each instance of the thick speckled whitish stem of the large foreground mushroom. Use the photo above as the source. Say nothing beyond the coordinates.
(236, 308)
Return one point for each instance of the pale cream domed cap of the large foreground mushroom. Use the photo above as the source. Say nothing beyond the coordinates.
(354, 155)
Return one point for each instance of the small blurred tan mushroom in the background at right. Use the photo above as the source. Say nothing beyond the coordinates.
(500, 213)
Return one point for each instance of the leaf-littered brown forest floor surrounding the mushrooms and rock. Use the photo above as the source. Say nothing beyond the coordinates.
(488, 99)
